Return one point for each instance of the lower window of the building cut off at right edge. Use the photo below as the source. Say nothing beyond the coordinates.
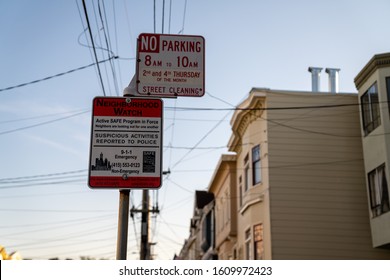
(379, 194)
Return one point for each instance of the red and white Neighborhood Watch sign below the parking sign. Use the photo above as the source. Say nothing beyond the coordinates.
(126, 143)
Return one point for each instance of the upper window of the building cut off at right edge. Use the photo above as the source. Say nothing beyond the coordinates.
(370, 109)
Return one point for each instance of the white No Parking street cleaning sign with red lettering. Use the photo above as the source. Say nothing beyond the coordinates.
(170, 65)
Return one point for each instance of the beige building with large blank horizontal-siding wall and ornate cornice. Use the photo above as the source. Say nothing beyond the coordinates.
(301, 180)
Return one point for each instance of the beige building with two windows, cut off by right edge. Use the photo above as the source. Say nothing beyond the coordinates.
(373, 84)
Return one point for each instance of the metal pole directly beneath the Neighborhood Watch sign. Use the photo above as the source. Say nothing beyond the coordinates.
(123, 225)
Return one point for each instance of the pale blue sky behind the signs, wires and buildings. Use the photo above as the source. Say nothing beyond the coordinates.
(248, 44)
